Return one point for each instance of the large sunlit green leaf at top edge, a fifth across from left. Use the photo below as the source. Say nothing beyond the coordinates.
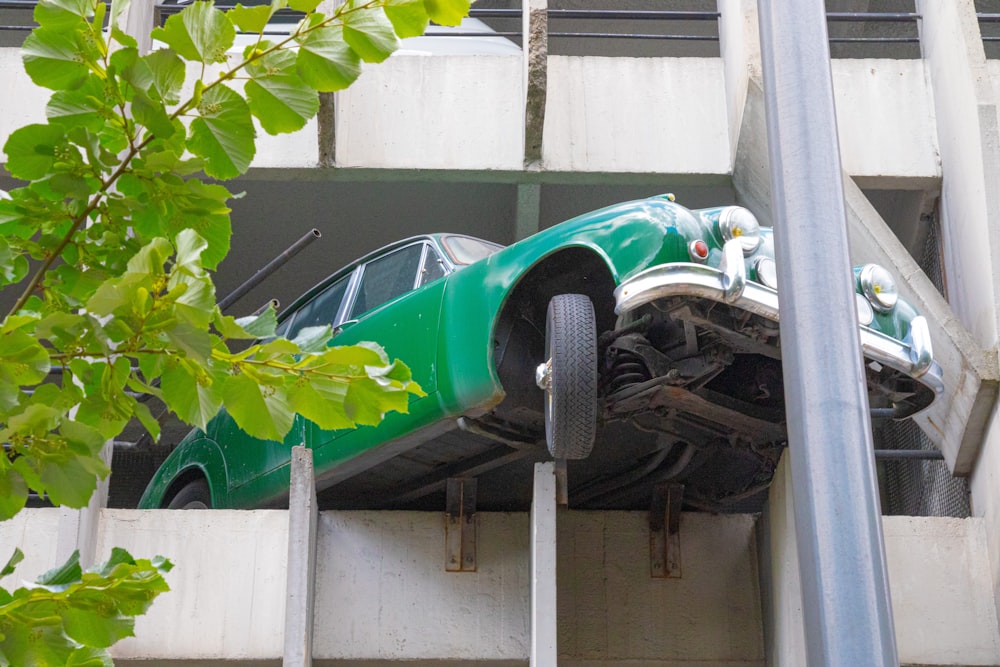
(199, 32)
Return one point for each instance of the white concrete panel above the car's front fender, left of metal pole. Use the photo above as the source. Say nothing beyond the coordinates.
(663, 115)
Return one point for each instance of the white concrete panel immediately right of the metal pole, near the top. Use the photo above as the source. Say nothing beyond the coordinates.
(885, 118)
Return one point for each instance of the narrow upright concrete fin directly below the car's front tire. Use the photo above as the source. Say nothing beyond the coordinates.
(543, 567)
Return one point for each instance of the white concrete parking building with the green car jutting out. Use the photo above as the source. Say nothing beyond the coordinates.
(500, 145)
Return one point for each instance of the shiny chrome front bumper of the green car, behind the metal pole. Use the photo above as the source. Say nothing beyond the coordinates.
(728, 284)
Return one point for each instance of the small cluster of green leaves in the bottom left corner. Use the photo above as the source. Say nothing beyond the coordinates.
(69, 617)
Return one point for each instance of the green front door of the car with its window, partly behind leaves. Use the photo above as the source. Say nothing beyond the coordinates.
(396, 303)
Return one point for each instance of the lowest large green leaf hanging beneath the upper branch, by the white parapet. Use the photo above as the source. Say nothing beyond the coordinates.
(223, 133)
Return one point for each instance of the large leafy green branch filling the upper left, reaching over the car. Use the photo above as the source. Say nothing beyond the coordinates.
(113, 239)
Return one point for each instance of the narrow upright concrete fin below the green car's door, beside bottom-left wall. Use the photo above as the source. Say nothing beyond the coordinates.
(303, 519)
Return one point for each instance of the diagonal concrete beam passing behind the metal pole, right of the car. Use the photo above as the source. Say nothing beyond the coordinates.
(957, 420)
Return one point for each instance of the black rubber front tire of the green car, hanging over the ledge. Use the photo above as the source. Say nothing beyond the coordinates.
(571, 398)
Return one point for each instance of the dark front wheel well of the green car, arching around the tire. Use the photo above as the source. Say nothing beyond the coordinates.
(520, 333)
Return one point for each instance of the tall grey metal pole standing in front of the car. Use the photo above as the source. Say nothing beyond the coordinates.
(845, 591)
